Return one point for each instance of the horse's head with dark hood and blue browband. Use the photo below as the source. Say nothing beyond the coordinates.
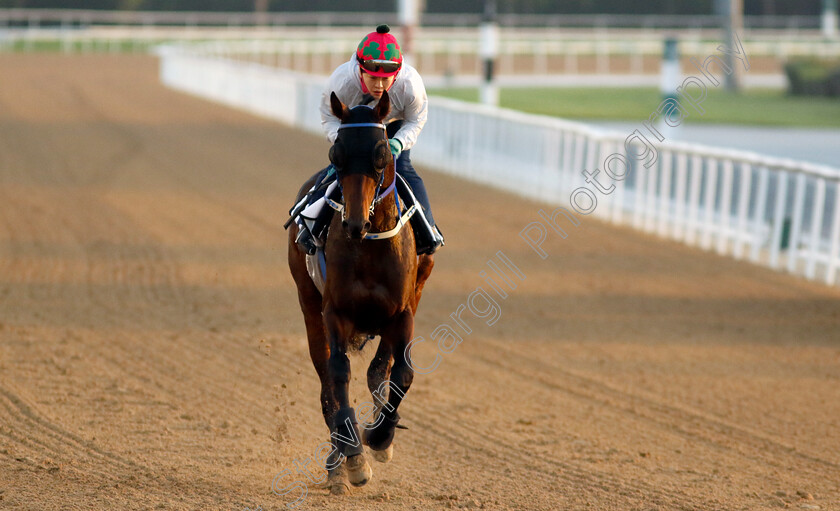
(360, 155)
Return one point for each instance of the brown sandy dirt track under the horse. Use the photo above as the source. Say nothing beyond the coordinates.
(152, 352)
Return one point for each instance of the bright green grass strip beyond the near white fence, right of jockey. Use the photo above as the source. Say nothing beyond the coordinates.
(764, 107)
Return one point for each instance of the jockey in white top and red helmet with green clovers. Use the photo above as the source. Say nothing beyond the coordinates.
(376, 67)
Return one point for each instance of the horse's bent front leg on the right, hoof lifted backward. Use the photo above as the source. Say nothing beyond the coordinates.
(397, 334)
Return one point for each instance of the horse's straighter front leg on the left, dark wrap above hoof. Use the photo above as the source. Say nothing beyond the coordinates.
(345, 432)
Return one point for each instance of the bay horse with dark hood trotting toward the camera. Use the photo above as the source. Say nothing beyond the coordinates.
(372, 288)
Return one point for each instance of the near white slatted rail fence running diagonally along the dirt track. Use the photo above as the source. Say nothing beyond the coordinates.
(779, 213)
